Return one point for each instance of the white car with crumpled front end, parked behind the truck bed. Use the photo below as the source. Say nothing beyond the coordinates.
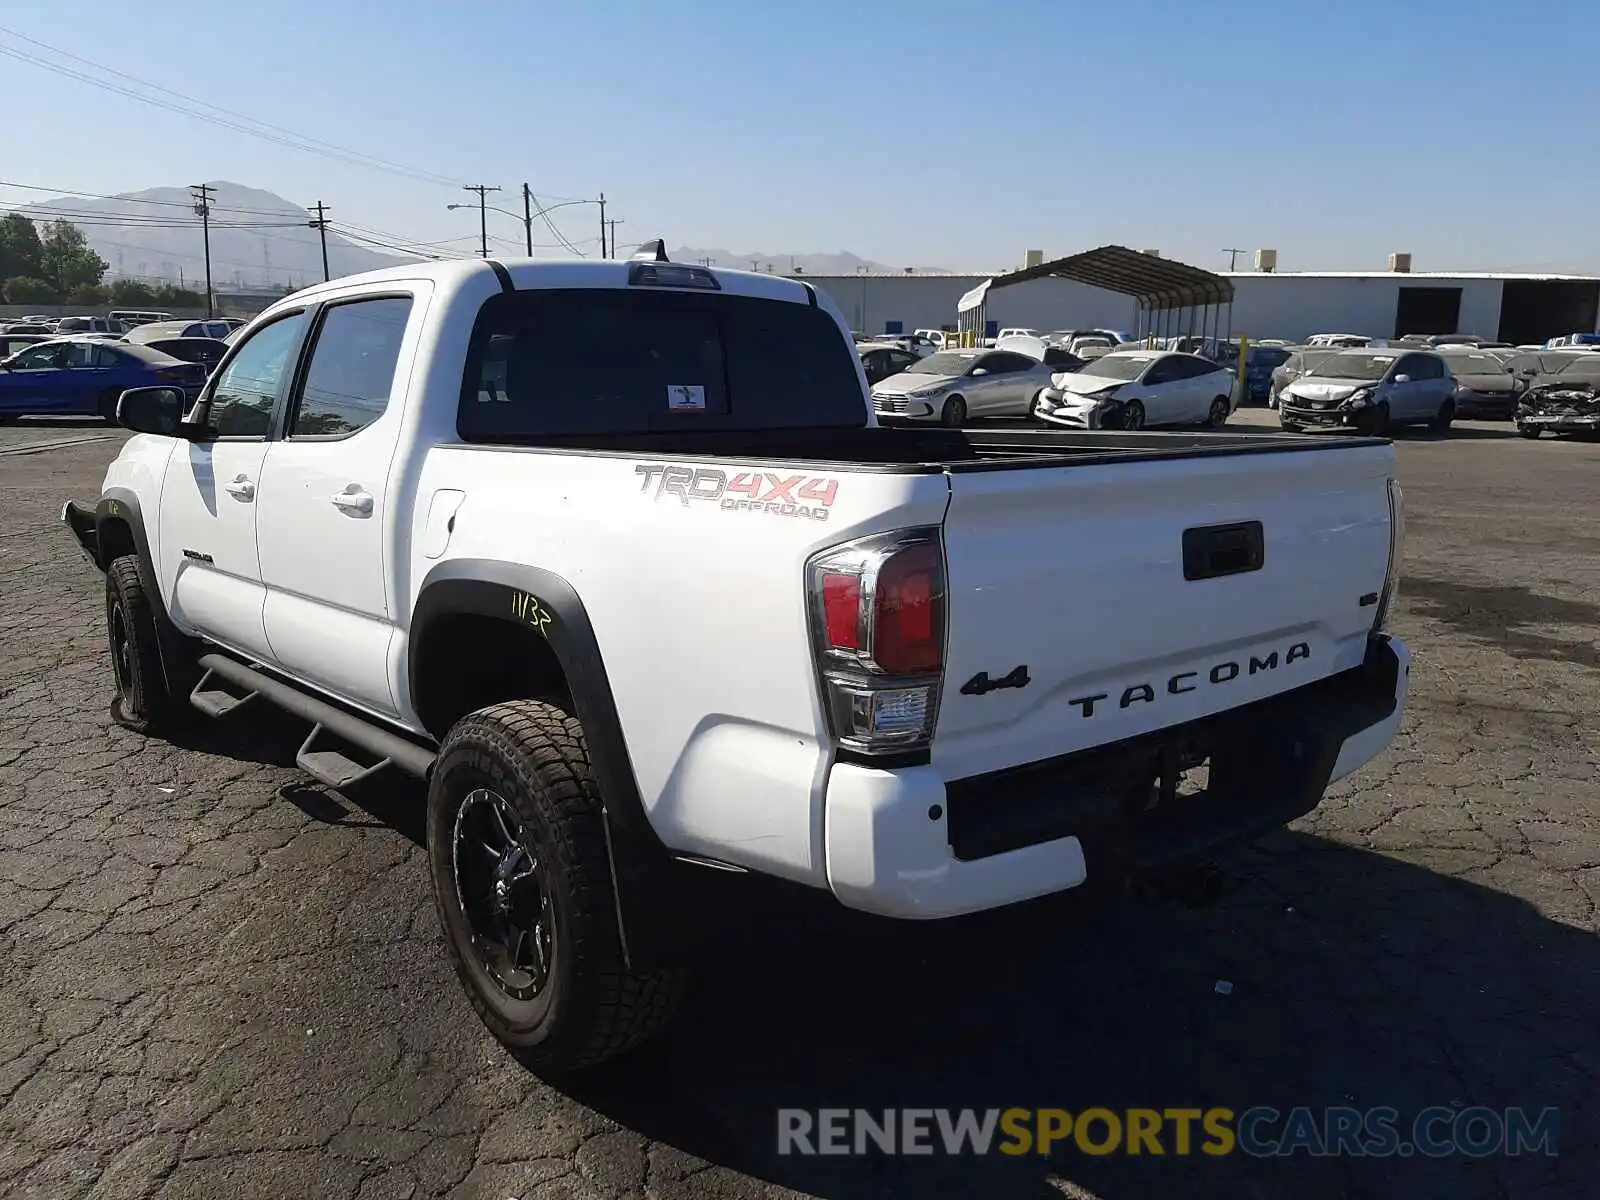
(1132, 390)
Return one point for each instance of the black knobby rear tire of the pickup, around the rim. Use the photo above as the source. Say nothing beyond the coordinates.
(591, 1007)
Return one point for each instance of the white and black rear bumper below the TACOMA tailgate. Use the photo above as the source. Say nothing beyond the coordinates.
(908, 844)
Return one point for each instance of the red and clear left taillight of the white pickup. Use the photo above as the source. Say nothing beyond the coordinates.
(878, 626)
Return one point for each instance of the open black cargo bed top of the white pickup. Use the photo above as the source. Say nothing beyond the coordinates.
(948, 450)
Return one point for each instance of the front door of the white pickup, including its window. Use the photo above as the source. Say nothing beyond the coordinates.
(207, 550)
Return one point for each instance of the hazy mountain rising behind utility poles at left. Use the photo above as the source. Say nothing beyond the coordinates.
(257, 238)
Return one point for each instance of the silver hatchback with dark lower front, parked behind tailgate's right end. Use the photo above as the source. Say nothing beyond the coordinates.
(1372, 391)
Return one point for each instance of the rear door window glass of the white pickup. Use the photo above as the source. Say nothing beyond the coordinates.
(353, 367)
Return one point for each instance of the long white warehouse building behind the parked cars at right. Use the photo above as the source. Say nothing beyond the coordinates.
(1513, 308)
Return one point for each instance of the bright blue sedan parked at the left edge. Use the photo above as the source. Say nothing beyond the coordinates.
(81, 377)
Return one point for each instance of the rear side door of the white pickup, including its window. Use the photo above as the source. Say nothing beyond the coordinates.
(326, 503)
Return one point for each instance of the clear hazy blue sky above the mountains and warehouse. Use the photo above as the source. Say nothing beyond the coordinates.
(934, 134)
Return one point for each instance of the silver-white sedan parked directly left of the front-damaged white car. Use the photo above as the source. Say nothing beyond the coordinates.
(953, 386)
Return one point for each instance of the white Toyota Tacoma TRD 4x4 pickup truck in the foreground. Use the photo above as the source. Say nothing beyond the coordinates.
(615, 556)
